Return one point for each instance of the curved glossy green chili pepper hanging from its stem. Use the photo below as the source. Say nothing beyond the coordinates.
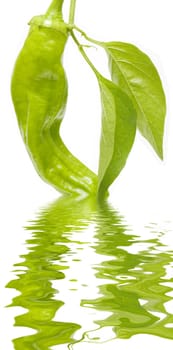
(39, 93)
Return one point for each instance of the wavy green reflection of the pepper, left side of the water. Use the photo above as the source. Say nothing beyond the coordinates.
(46, 250)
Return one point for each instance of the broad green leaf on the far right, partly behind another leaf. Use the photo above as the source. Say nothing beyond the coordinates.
(133, 71)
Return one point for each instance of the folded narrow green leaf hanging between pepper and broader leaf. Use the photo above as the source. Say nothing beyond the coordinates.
(118, 133)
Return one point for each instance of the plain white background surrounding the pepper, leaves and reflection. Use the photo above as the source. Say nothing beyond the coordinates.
(144, 190)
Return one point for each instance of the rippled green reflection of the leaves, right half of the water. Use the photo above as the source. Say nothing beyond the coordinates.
(137, 289)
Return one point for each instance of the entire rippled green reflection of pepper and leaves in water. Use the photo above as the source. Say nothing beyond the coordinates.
(88, 278)
